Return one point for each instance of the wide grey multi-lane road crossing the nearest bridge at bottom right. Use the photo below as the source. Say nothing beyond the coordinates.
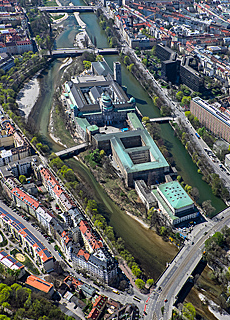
(180, 269)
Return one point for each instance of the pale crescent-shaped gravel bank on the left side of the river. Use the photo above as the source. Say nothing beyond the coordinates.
(28, 96)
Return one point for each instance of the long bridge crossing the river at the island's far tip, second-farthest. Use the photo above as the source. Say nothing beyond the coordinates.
(73, 52)
